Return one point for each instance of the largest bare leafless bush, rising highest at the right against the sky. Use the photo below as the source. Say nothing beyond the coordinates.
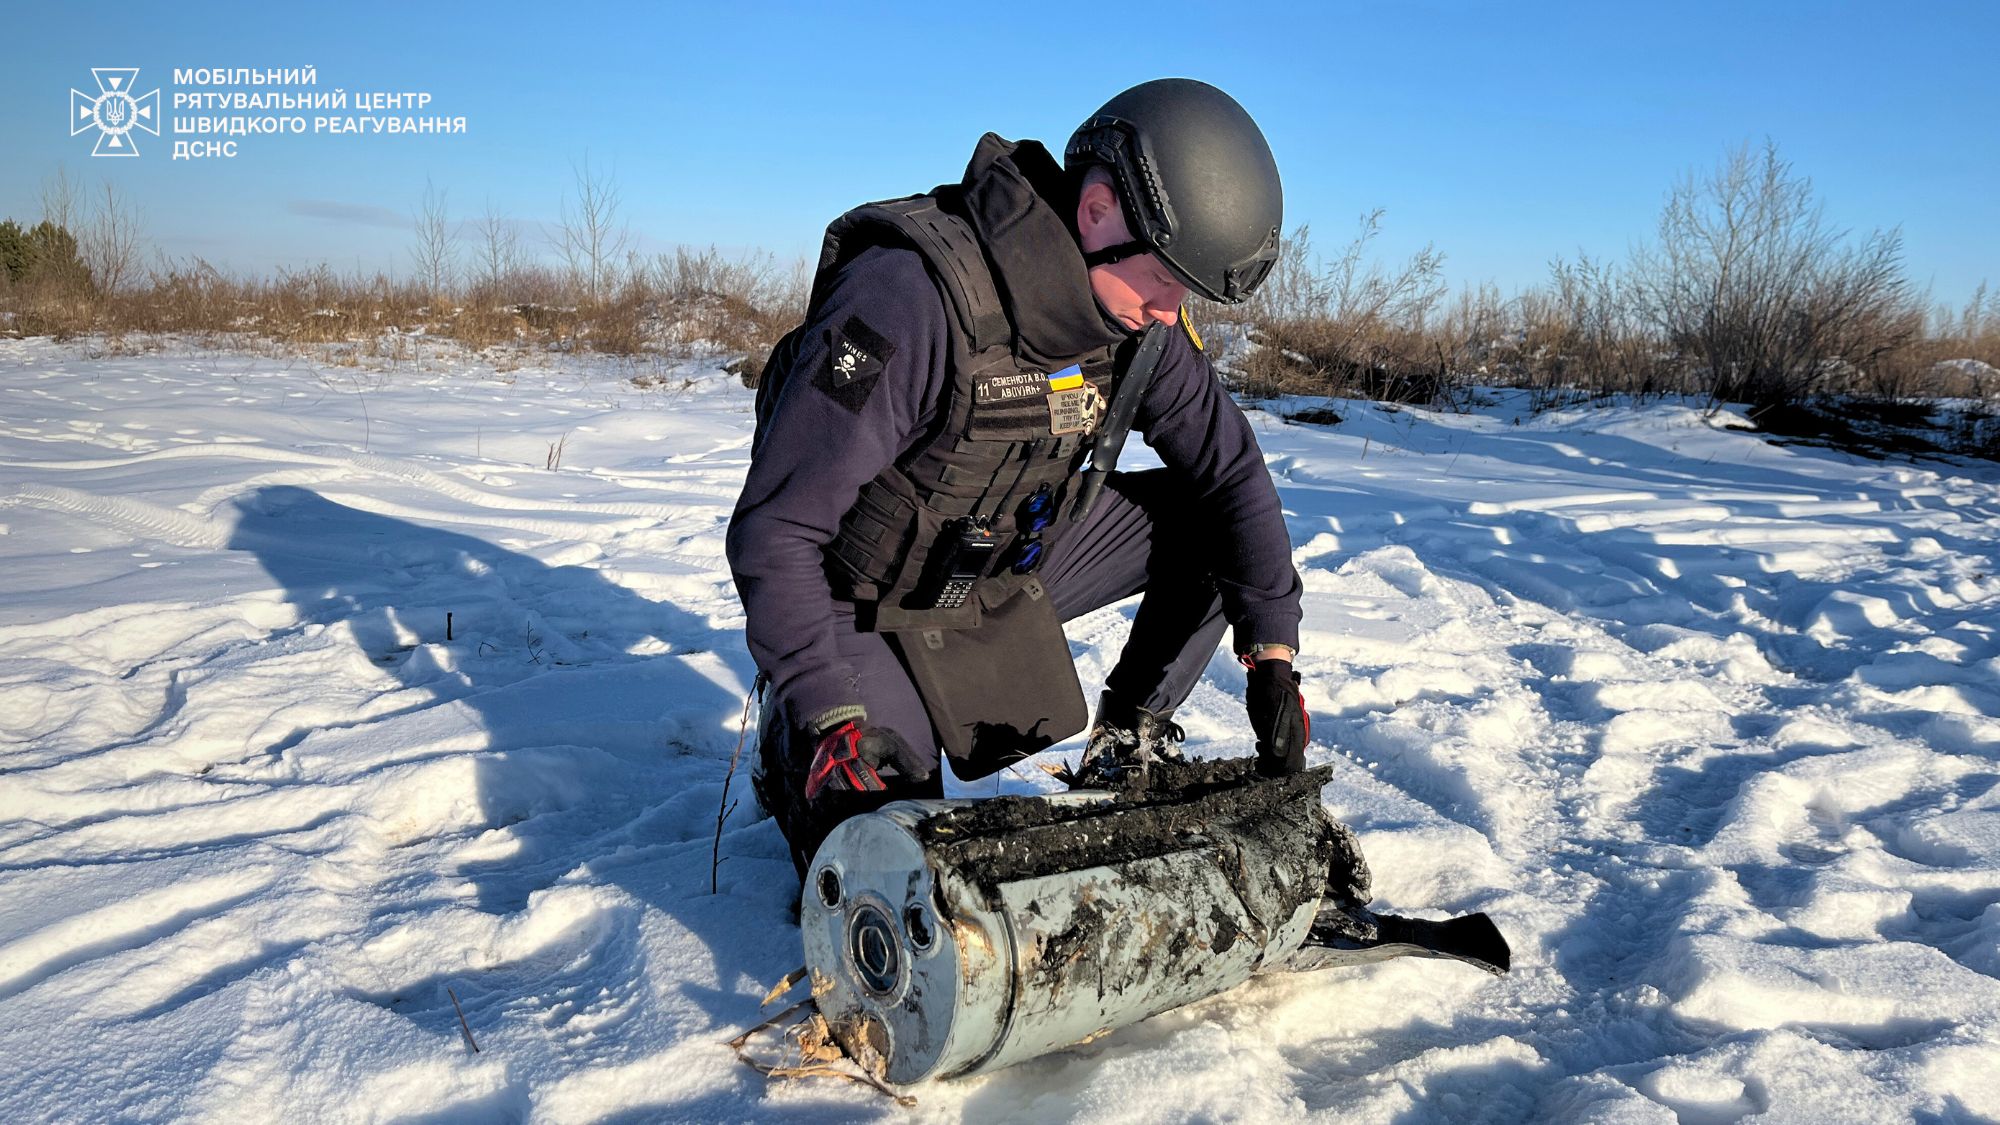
(1757, 287)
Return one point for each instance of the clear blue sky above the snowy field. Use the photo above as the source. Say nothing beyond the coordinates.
(1503, 133)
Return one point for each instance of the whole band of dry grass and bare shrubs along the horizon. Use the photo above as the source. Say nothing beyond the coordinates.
(1747, 295)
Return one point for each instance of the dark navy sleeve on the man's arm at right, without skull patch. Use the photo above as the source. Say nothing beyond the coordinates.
(1197, 429)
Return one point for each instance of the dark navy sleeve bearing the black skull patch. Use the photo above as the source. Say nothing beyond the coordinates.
(867, 385)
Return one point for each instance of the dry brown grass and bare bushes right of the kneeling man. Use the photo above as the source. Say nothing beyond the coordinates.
(1829, 327)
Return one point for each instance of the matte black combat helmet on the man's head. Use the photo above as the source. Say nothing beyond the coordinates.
(1197, 183)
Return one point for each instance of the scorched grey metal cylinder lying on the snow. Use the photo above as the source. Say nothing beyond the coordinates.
(955, 938)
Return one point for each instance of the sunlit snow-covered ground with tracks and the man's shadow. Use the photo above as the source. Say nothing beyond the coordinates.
(1709, 726)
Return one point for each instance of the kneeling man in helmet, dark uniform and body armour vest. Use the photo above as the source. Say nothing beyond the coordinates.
(931, 491)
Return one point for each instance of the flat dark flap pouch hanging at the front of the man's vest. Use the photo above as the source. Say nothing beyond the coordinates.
(1001, 692)
